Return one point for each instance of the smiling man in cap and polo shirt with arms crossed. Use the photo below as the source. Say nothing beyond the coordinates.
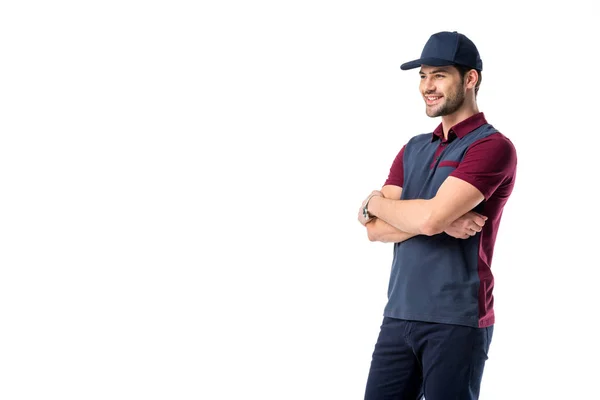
(441, 207)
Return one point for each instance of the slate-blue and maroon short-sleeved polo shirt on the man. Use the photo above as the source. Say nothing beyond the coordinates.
(439, 278)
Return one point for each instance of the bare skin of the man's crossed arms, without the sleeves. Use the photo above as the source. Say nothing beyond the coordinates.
(449, 211)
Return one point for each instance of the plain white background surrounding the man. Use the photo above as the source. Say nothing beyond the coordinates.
(179, 184)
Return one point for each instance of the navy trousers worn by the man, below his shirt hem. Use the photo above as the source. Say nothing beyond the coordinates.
(413, 359)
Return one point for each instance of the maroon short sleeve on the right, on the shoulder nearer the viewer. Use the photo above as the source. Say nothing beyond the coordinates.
(488, 163)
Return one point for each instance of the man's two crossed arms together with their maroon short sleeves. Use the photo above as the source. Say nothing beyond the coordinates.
(487, 163)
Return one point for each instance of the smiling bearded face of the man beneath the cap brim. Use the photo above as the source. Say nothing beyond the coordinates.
(442, 89)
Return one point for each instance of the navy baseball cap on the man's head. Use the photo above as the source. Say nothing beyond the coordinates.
(447, 48)
